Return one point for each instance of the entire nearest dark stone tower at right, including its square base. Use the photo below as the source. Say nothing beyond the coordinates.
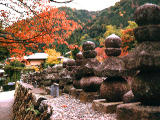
(146, 59)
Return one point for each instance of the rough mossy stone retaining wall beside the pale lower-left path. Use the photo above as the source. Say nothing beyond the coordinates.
(30, 103)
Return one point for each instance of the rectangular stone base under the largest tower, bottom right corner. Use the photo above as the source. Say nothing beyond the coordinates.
(136, 111)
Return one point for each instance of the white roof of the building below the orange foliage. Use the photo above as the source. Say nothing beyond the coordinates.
(37, 56)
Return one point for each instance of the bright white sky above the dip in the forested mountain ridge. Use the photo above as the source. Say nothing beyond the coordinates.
(91, 5)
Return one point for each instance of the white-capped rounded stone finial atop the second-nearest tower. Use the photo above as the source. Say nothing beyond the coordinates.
(112, 44)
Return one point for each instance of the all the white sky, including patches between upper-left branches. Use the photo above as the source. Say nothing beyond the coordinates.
(91, 5)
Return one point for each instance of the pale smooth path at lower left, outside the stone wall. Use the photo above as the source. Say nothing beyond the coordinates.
(6, 102)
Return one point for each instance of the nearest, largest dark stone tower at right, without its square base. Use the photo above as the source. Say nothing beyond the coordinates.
(146, 56)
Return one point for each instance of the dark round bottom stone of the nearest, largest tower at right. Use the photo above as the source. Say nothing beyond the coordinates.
(146, 88)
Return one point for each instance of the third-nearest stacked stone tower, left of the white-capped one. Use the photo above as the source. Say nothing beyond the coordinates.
(84, 74)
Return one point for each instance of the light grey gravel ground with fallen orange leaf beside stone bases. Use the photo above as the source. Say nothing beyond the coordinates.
(67, 108)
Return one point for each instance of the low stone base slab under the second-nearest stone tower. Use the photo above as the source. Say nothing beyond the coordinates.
(101, 105)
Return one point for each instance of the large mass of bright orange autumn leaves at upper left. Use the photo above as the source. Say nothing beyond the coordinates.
(45, 28)
